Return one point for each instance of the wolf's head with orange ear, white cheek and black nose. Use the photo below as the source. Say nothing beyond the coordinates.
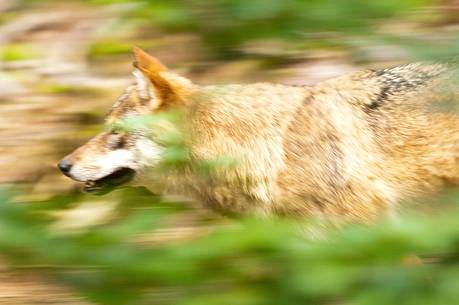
(115, 156)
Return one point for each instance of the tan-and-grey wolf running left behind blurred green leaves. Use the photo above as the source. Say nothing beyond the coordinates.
(347, 149)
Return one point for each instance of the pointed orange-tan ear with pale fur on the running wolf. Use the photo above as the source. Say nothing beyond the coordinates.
(155, 83)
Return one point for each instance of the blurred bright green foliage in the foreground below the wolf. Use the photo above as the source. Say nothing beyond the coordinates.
(251, 262)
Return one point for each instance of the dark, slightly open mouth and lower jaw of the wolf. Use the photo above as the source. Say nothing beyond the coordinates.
(108, 183)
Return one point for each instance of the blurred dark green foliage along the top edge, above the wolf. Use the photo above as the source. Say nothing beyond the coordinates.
(225, 25)
